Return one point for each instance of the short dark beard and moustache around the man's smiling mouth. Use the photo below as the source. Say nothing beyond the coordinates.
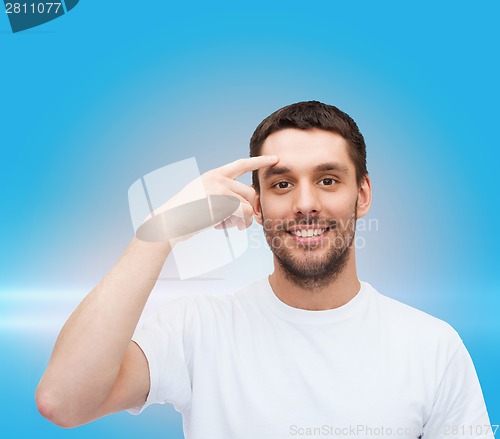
(306, 265)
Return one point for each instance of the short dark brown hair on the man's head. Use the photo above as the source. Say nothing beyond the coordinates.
(307, 116)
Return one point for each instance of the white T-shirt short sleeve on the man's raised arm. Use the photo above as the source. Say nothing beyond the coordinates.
(166, 340)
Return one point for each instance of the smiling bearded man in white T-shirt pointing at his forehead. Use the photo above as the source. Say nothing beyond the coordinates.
(310, 351)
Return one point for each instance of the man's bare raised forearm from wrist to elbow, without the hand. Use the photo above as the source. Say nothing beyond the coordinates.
(89, 350)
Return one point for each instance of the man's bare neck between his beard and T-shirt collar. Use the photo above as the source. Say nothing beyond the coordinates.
(336, 293)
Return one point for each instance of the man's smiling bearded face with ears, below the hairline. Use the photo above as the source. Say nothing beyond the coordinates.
(309, 202)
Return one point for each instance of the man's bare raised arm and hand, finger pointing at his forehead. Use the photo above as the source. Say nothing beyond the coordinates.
(95, 369)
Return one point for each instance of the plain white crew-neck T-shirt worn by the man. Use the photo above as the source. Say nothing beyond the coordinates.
(246, 365)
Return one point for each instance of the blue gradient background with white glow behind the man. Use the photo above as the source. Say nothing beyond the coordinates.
(94, 100)
